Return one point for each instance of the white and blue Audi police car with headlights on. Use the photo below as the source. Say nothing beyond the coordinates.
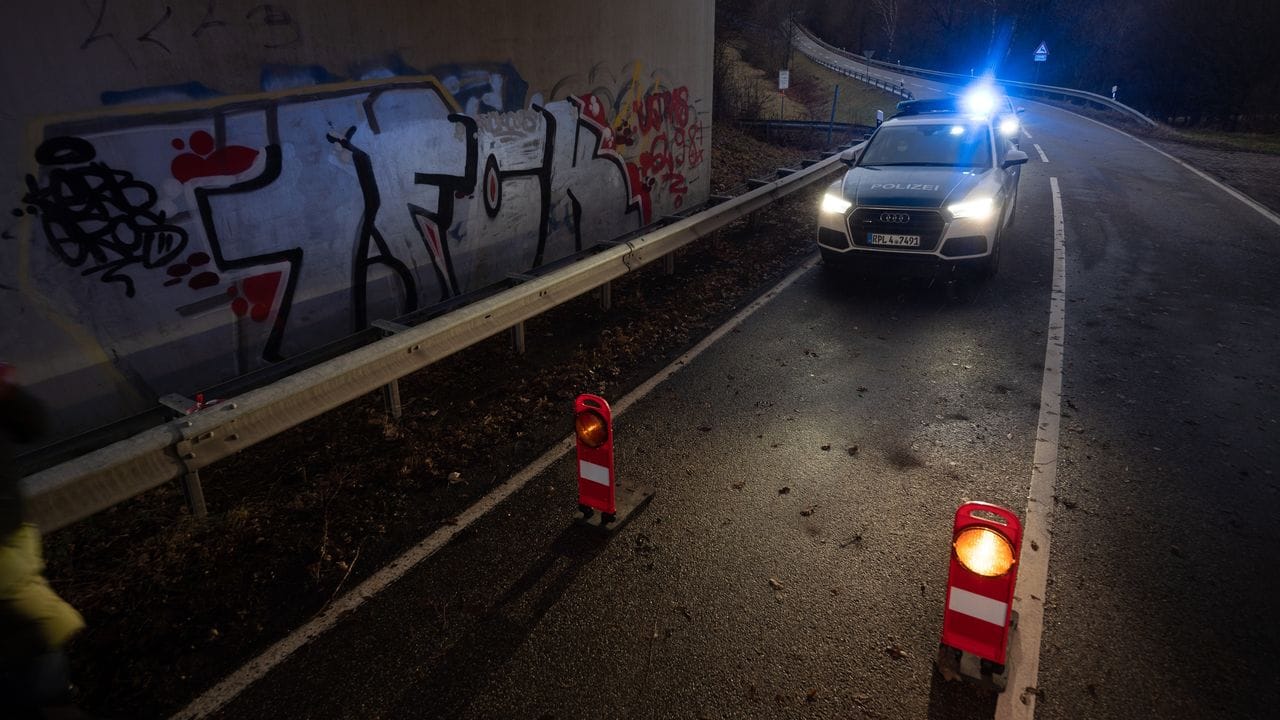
(930, 193)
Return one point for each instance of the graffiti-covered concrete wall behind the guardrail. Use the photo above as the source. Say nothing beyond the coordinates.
(202, 189)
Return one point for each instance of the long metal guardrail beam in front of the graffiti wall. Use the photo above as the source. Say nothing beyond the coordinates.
(75, 490)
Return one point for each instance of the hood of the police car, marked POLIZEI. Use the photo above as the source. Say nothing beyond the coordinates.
(909, 188)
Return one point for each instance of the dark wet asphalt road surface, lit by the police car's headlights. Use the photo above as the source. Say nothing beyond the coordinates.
(807, 467)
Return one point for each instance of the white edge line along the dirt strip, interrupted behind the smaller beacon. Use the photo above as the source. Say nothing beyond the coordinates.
(218, 696)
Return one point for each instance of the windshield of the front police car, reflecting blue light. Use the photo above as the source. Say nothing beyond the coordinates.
(944, 145)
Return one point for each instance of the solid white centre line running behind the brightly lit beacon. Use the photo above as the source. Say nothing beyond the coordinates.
(1020, 701)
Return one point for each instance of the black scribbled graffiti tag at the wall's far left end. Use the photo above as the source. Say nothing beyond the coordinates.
(94, 213)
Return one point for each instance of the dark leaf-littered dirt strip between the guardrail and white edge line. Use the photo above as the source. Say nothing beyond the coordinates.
(175, 604)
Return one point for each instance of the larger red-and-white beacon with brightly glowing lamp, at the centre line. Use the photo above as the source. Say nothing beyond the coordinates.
(986, 543)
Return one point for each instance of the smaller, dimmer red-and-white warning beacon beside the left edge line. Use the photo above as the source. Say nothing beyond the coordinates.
(601, 500)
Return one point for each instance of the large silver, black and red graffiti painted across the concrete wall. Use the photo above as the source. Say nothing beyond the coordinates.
(200, 243)
